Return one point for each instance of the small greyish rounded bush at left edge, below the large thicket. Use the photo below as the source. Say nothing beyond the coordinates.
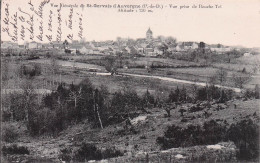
(9, 134)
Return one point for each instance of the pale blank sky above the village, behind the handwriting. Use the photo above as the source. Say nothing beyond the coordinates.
(236, 23)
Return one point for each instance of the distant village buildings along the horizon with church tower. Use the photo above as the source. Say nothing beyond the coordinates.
(148, 46)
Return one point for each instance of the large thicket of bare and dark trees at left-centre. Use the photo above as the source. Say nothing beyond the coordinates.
(71, 104)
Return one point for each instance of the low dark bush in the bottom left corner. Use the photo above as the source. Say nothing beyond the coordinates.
(14, 149)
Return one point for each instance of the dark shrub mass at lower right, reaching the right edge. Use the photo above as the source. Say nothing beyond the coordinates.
(245, 135)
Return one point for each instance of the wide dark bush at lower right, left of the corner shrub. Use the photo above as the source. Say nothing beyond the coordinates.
(175, 136)
